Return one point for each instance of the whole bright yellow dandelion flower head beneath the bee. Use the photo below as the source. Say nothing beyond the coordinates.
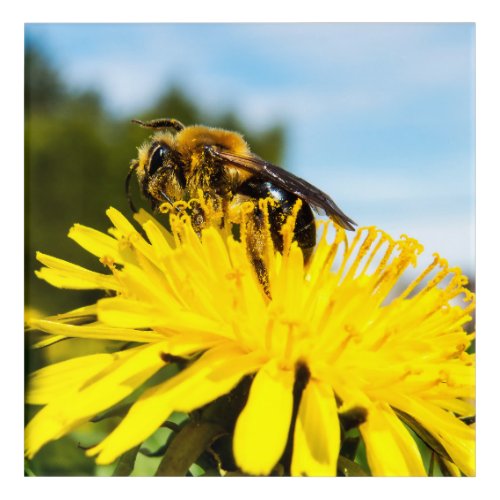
(334, 338)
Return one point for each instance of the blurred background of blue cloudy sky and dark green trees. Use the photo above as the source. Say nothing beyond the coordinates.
(380, 116)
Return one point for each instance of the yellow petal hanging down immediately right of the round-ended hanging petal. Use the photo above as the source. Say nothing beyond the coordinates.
(316, 441)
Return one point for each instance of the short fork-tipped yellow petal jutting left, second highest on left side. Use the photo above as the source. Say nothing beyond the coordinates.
(62, 274)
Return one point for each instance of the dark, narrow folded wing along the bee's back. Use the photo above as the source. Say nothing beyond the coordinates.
(290, 182)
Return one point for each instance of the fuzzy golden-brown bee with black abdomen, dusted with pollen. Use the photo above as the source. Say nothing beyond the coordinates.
(180, 160)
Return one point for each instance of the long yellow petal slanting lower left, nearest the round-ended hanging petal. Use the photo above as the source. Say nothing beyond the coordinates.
(213, 375)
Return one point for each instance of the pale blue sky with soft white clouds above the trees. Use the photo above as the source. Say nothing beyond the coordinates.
(381, 116)
